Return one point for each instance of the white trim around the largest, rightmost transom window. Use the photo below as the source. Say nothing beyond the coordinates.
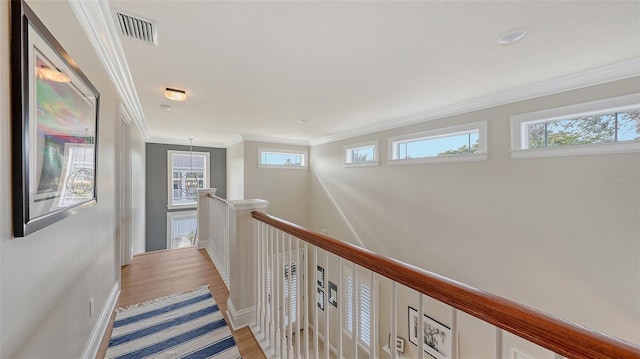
(519, 143)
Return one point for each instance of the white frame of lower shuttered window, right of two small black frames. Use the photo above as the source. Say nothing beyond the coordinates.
(361, 279)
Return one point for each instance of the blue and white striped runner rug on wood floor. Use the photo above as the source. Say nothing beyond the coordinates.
(186, 325)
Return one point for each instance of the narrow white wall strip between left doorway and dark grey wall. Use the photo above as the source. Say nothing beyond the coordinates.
(138, 213)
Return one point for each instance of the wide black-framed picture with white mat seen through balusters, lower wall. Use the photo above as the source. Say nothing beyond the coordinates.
(436, 336)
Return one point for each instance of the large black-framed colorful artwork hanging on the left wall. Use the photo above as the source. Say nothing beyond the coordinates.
(54, 109)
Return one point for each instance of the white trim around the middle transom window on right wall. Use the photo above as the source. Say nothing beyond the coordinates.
(480, 126)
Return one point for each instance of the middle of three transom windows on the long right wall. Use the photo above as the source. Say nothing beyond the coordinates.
(444, 144)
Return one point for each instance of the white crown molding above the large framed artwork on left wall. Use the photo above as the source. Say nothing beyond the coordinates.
(95, 19)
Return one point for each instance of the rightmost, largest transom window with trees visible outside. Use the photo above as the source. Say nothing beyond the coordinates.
(605, 126)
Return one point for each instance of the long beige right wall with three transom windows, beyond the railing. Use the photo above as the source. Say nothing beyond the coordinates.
(559, 234)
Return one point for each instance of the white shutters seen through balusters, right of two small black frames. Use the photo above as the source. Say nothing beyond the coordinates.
(364, 306)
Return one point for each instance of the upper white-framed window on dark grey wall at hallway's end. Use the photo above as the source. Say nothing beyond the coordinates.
(188, 172)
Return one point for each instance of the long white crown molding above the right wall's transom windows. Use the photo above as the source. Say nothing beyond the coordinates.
(614, 72)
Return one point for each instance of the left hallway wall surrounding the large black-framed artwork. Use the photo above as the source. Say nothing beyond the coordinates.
(47, 278)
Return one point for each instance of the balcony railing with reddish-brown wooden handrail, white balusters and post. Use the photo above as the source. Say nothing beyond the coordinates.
(312, 296)
